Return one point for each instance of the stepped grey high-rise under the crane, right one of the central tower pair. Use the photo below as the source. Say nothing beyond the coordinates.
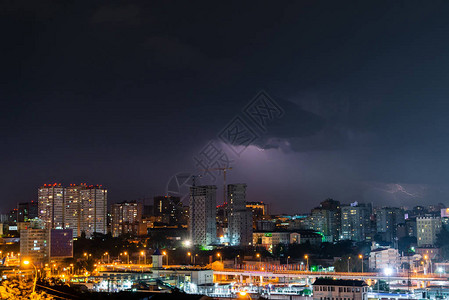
(240, 225)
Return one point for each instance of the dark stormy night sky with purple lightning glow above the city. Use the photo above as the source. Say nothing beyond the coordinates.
(127, 94)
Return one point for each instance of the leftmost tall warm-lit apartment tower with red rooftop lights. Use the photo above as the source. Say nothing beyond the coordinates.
(51, 205)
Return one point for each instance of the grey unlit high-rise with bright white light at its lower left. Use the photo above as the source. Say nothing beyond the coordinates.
(202, 226)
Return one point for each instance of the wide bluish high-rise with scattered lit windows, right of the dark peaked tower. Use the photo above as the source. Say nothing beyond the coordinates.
(356, 222)
